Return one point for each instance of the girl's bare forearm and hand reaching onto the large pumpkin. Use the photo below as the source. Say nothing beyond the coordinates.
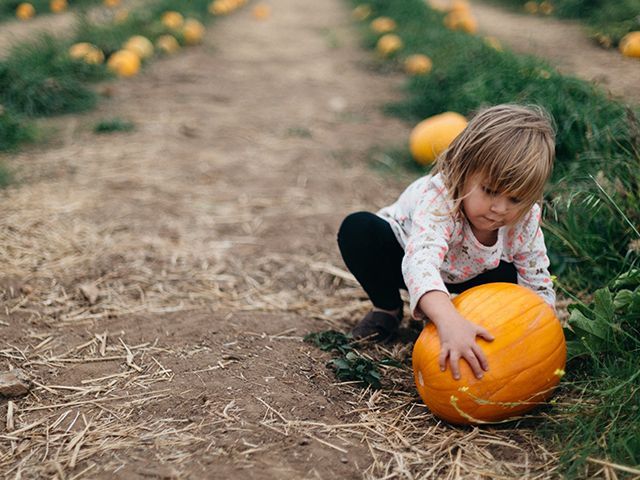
(457, 334)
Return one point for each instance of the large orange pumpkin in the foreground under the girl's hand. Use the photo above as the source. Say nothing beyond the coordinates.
(526, 359)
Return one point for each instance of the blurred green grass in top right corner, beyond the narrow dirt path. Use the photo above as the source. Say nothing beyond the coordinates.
(612, 19)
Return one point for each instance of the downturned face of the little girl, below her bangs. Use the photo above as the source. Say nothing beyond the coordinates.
(487, 210)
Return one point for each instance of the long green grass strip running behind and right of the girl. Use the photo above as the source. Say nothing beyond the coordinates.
(591, 217)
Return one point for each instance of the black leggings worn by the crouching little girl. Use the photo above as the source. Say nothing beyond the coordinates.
(372, 253)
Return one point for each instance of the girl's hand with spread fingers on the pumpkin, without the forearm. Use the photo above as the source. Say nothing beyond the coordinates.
(458, 340)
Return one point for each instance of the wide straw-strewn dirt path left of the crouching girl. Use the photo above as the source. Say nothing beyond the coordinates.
(157, 284)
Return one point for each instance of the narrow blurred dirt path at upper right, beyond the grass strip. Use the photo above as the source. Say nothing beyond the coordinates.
(565, 44)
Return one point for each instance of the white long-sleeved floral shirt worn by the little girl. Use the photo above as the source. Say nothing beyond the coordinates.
(440, 248)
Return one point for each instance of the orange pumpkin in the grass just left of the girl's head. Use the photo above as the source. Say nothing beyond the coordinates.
(433, 135)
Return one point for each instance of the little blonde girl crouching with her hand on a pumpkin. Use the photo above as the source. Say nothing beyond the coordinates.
(475, 220)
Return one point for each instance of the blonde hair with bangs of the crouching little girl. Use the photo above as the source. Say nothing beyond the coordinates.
(511, 147)
